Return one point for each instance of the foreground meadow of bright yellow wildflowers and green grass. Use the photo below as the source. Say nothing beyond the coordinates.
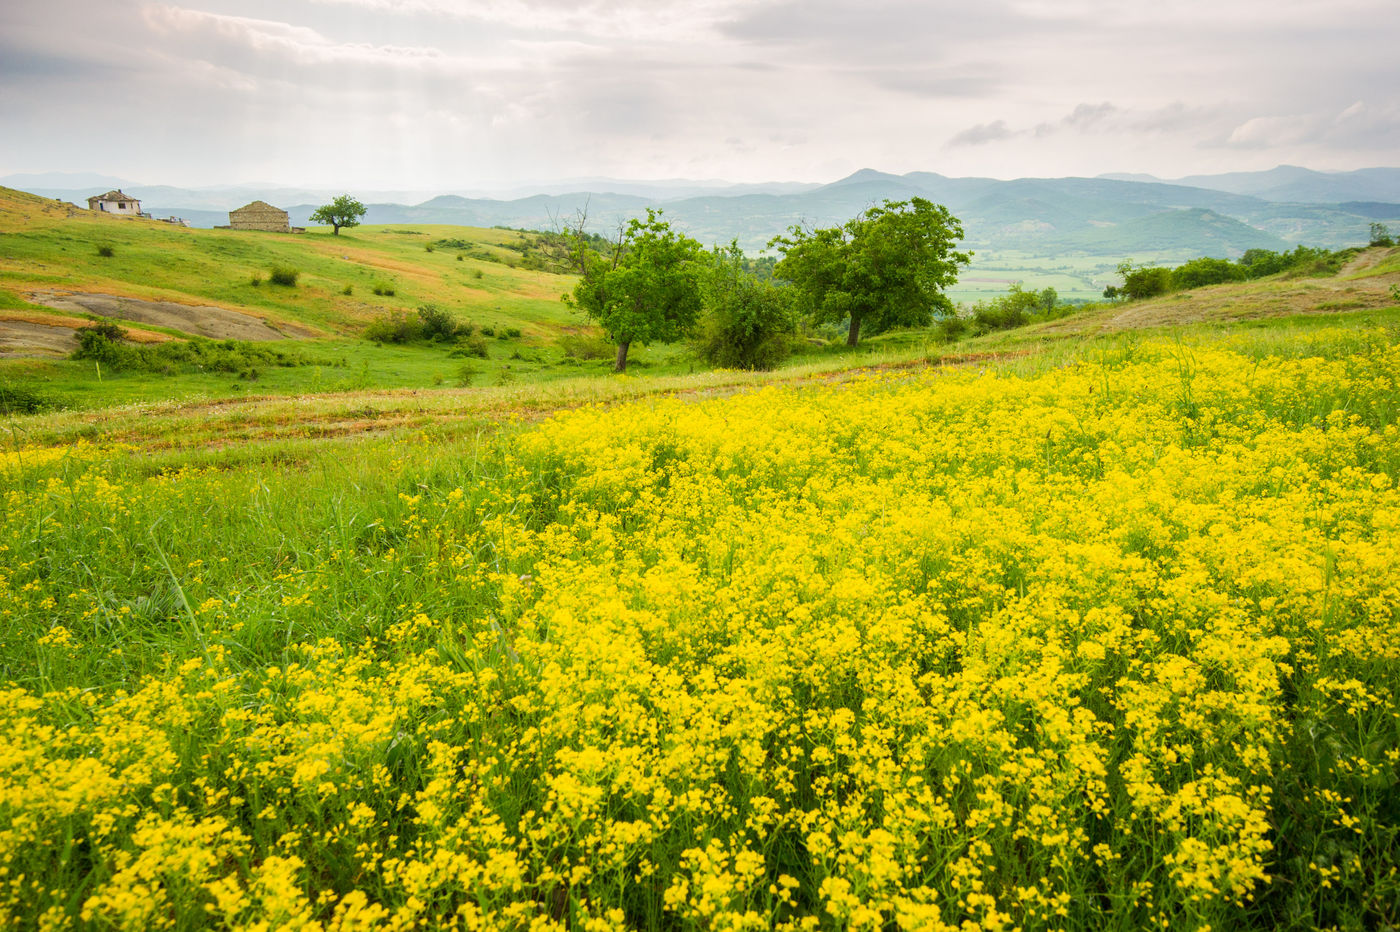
(1112, 644)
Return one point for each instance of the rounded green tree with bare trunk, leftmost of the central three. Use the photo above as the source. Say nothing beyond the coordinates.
(647, 290)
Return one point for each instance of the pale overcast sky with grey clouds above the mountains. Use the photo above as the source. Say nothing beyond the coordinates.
(470, 94)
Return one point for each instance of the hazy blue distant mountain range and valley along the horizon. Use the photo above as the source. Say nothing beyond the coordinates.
(1116, 215)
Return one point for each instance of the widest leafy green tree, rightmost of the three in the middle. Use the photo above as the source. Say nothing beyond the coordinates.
(884, 269)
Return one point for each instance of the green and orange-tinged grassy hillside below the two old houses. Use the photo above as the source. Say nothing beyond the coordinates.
(477, 275)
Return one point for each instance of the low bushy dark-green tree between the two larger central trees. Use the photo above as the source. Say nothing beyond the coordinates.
(748, 321)
